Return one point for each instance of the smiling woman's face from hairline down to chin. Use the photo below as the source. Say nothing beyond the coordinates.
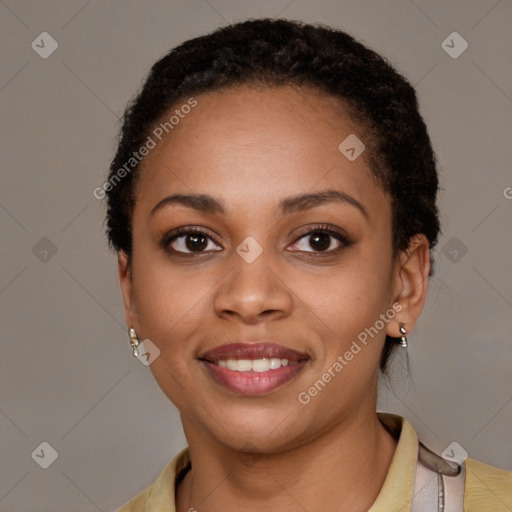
(273, 265)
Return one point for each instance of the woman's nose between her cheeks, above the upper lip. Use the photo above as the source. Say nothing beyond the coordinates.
(253, 292)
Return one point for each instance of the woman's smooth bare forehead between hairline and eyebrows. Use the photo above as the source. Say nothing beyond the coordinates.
(252, 145)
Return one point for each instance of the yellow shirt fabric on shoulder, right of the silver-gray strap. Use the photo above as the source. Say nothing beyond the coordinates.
(487, 488)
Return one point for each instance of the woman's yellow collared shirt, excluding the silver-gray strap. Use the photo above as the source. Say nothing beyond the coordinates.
(487, 489)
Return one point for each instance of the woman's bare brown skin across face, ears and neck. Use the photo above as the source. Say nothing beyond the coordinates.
(250, 148)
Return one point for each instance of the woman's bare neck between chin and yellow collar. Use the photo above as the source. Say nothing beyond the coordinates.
(341, 470)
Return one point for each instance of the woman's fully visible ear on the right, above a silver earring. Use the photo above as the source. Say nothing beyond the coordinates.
(410, 284)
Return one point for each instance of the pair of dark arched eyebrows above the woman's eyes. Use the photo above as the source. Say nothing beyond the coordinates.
(209, 204)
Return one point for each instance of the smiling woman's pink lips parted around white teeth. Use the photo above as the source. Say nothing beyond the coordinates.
(251, 383)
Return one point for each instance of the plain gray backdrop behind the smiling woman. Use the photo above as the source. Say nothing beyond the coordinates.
(67, 374)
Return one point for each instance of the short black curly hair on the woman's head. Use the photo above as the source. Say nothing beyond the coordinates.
(281, 52)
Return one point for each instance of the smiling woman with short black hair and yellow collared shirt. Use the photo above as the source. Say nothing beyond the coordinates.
(273, 206)
